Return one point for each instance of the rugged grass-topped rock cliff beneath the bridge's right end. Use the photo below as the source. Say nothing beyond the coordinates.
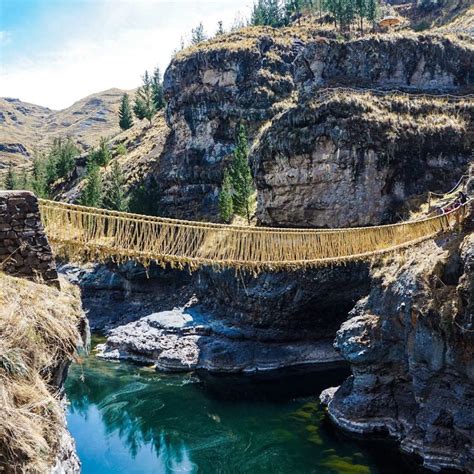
(410, 344)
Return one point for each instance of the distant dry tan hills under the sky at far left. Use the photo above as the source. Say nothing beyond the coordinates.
(24, 126)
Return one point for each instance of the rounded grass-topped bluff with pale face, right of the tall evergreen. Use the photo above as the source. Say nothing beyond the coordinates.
(342, 160)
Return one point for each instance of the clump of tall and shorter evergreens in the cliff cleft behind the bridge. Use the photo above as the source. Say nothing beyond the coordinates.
(238, 182)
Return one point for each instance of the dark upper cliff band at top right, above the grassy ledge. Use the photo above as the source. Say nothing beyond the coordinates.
(420, 62)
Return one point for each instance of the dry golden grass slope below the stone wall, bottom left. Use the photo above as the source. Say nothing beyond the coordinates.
(38, 332)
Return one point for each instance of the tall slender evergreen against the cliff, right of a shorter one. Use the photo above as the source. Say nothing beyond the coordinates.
(241, 176)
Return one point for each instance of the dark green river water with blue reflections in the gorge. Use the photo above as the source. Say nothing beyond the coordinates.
(130, 419)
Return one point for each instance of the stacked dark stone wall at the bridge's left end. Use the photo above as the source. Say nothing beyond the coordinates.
(24, 248)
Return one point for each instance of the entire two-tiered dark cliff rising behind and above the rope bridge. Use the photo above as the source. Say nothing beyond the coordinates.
(319, 159)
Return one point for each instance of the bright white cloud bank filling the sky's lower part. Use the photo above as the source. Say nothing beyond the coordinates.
(112, 51)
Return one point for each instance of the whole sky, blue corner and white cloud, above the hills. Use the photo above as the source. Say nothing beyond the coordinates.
(54, 52)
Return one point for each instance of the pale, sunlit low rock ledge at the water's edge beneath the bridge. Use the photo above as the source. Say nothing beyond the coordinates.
(188, 339)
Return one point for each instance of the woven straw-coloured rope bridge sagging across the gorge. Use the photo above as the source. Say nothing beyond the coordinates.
(84, 233)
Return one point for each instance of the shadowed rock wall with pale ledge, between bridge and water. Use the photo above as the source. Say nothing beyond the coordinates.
(224, 322)
